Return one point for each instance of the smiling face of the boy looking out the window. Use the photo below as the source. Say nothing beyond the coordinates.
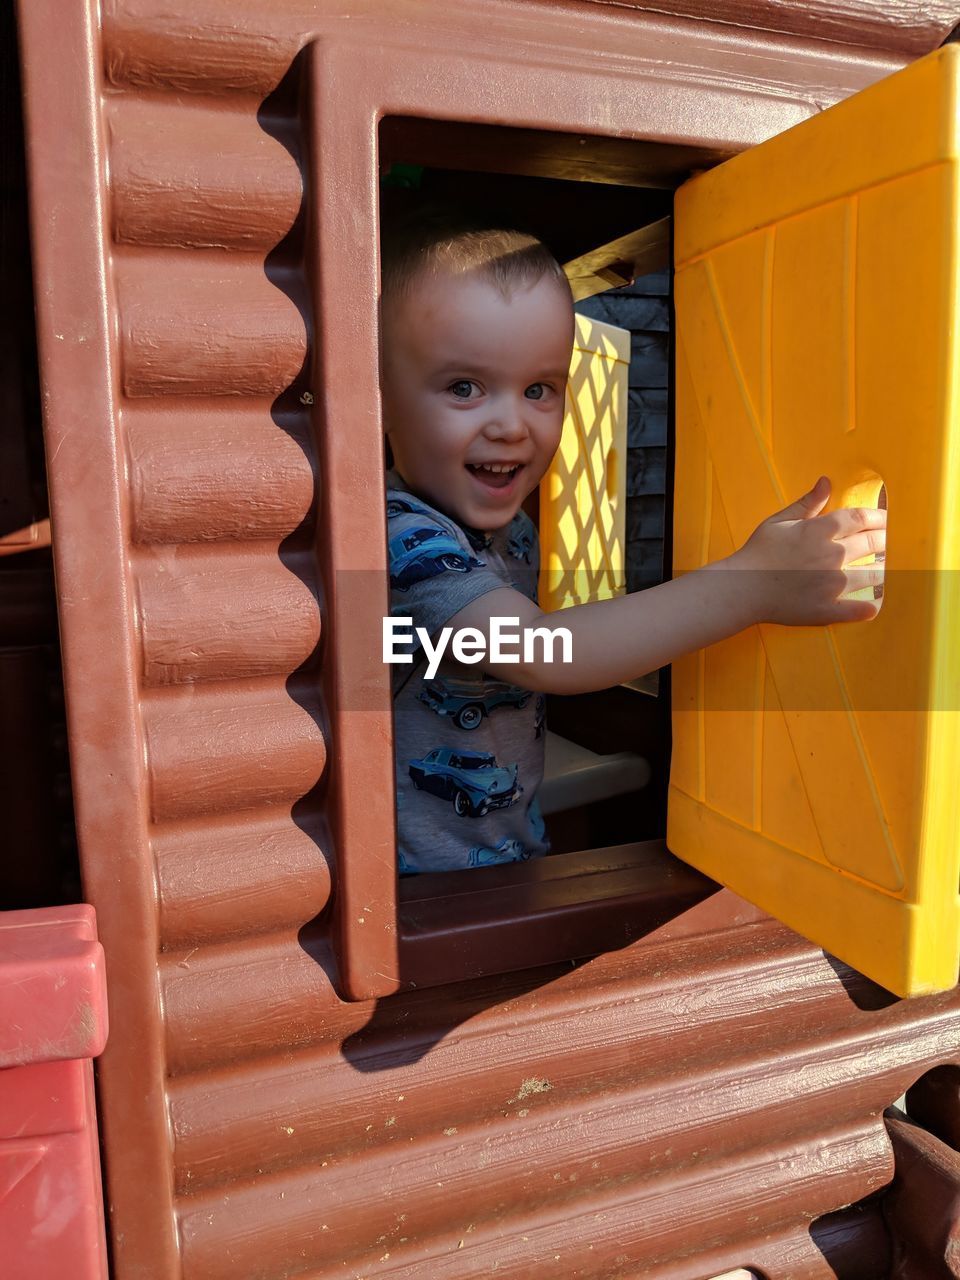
(473, 391)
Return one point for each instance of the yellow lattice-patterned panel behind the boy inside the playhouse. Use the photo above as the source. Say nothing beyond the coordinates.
(583, 496)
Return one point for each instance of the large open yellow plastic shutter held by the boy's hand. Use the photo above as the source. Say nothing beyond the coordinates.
(816, 771)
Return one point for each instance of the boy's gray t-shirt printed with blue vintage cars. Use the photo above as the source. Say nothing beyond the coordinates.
(469, 748)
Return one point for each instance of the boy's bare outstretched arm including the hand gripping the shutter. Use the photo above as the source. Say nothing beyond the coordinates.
(793, 572)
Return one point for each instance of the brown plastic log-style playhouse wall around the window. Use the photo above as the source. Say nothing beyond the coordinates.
(705, 1095)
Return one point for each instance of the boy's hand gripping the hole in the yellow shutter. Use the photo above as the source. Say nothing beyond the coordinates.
(798, 563)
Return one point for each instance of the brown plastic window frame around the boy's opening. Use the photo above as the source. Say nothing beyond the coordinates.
(390, 938)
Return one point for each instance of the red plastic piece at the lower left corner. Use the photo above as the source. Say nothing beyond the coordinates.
(53, 1025)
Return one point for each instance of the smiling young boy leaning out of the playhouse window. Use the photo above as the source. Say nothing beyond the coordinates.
(478, 330)
